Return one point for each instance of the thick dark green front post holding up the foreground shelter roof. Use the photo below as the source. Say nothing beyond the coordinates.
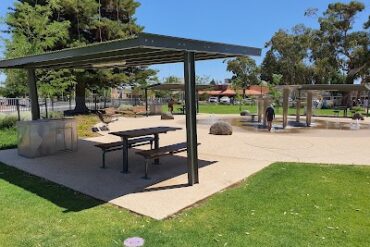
(191, 115)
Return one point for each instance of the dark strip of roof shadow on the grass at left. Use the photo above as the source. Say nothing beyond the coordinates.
(61, 196)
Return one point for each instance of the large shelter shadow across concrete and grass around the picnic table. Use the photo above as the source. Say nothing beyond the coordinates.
(80, 171)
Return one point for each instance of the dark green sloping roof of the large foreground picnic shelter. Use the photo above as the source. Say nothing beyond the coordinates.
(143, 50)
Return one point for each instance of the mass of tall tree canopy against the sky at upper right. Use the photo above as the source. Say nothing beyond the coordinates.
(333, 53)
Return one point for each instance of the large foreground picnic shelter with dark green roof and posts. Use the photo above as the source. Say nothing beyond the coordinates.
(140, 50)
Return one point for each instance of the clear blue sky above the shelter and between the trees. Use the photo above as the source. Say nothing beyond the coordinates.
(250, 23)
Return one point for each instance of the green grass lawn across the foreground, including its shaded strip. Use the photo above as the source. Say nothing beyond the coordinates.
(283, 205)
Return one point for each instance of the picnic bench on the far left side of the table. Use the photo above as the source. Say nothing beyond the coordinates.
(115, 146)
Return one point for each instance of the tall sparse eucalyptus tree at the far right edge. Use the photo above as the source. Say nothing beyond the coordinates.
(337, 48)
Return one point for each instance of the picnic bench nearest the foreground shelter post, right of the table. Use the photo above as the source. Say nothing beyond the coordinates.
(160, 152)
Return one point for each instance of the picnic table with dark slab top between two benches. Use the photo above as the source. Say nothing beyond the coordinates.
(135, 133)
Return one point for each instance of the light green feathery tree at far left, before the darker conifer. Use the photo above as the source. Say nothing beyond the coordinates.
(32, 31)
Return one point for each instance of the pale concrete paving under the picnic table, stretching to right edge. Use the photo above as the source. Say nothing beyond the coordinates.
(224, 161)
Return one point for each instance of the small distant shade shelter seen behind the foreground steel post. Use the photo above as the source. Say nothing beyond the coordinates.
(173, 87)
